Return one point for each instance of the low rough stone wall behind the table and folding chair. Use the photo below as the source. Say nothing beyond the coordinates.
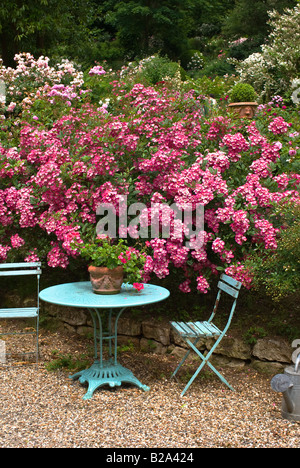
(270, 354)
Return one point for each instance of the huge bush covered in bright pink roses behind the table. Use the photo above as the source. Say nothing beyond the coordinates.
(155, 145)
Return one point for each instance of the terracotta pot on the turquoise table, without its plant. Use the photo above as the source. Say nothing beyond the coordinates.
(106, 281)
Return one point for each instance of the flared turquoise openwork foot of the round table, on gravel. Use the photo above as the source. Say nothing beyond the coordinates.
(107, 373)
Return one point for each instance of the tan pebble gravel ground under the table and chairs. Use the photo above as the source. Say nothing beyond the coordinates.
(45, 409)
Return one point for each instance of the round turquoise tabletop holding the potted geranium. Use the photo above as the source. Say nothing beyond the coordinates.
(80, 294)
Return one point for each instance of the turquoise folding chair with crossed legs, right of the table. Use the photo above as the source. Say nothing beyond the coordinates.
(191, 332)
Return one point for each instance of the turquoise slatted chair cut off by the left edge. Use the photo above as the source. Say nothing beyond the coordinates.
(23, 269)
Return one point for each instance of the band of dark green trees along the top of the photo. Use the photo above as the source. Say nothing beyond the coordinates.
(118, 31)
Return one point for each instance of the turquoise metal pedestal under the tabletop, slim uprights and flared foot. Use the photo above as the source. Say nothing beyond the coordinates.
(104, 372)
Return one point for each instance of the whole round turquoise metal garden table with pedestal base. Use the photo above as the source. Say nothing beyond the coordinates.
(81, 295)
